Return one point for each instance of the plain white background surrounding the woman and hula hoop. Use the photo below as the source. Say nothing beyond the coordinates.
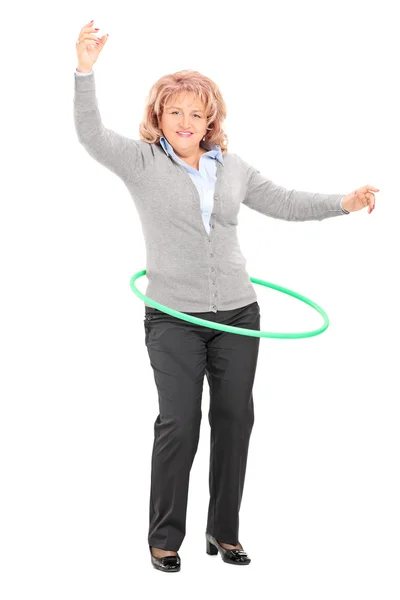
(313, 103)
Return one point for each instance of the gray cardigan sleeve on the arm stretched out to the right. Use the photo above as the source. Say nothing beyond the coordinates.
(268, 198)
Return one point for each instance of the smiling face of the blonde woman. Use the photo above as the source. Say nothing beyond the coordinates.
(184, 112)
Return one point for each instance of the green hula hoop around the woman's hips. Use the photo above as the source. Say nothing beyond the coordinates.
(237, 330)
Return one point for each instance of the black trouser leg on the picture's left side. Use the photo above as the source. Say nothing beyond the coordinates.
(178, 360)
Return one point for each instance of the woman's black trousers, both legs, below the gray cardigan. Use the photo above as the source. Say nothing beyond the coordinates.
(181, 353)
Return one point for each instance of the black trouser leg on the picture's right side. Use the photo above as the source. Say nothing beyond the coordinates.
(231, 367)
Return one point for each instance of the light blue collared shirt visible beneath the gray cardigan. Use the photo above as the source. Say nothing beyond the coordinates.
(204, 179)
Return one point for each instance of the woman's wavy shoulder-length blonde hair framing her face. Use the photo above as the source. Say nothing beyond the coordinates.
(169, 86)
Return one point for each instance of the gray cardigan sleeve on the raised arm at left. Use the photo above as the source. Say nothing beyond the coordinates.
(121, 155)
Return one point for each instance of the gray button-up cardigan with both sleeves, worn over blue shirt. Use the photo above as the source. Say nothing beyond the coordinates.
(188, 269)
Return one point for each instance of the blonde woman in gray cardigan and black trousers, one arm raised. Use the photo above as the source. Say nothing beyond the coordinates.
(194, 265)
